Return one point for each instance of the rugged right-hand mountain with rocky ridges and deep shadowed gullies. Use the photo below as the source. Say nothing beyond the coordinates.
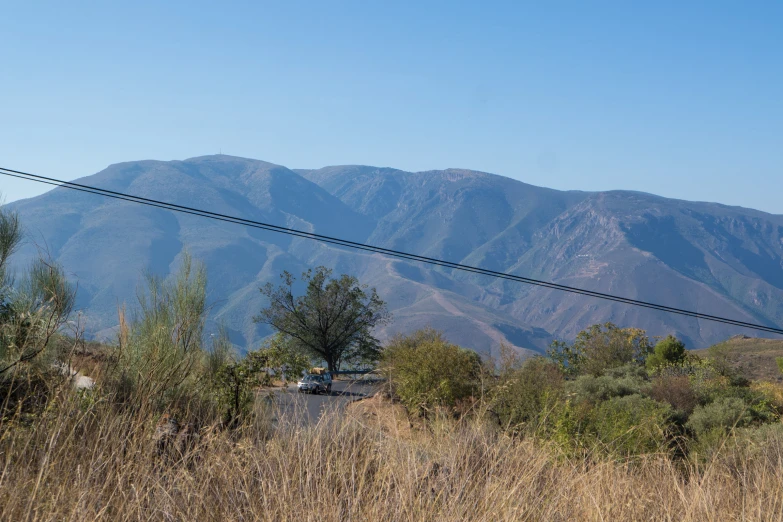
(703, 256)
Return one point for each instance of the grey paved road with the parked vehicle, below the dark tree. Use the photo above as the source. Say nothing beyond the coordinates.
(309, 407)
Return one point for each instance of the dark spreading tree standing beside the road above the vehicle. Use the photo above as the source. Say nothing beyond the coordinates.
(333, 320)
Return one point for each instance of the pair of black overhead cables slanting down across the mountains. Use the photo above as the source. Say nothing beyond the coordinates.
(378, 250)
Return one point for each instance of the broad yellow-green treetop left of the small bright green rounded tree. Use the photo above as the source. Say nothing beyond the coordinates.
(599, 348)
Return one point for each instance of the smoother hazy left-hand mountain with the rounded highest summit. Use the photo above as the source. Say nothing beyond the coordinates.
(107, 245)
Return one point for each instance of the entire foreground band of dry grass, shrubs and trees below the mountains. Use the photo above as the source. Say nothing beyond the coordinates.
(612, 426)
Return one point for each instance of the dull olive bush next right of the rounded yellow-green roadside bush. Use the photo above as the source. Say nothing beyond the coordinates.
(523, 396)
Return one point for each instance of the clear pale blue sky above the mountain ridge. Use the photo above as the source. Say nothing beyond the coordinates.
(681, 99)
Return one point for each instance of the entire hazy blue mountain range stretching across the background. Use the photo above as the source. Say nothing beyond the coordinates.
(707, 257)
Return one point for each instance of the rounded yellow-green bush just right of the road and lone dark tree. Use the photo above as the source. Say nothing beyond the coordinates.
(426, 371)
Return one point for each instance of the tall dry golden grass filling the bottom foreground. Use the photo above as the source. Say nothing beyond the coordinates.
(81, 461)
